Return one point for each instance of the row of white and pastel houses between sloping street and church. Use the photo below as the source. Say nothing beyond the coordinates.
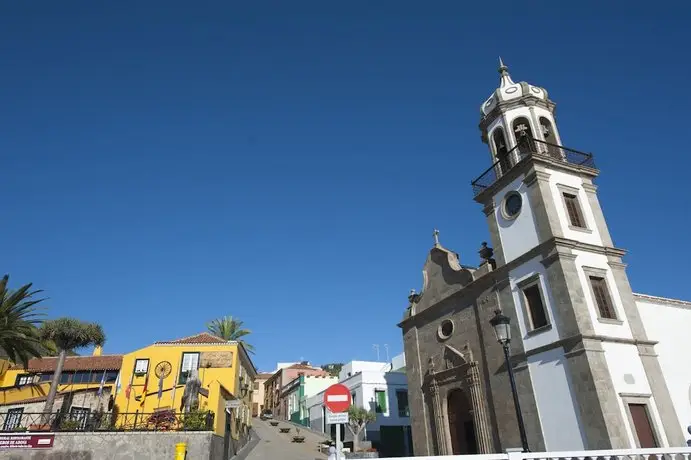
(295, 392)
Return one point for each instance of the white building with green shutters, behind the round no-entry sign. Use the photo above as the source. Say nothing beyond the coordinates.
(376, 387)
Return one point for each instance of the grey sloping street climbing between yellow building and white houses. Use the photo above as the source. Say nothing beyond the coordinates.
(275, 445)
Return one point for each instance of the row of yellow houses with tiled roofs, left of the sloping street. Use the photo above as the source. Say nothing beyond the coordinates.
(137, 389)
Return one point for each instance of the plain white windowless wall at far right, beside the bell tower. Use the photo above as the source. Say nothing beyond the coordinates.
(670, 325)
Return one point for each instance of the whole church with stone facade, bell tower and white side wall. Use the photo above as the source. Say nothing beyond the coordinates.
(596, 366)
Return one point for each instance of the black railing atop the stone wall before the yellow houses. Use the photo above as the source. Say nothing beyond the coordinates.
(13, 422)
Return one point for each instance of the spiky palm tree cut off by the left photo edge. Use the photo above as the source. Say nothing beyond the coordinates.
(19, 337)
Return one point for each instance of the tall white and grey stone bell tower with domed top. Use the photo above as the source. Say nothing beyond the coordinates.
(566, 285)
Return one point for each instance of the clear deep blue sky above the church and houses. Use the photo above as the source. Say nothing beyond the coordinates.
(165, 164)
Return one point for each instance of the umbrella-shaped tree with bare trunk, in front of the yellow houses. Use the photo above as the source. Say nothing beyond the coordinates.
(68, 334)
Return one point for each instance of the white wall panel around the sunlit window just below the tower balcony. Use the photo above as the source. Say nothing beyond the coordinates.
(591, 235)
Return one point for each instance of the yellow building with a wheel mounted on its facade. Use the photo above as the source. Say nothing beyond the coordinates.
(153, 379)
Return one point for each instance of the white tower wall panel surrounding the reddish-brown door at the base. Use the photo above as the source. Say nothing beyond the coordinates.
(629, 379)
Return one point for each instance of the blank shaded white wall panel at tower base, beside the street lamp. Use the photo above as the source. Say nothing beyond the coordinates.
(555, 398)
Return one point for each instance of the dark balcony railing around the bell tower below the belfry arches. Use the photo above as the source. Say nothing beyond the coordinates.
(527, 147)
